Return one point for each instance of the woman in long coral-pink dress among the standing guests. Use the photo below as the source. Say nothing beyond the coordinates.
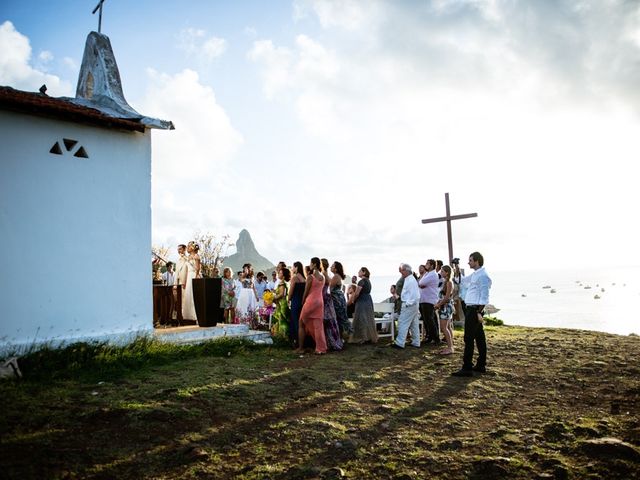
(312, 315)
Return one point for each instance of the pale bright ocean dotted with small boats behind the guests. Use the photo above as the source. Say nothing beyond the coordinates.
(569, 302)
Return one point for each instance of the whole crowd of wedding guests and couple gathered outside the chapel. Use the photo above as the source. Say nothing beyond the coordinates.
(312, 307)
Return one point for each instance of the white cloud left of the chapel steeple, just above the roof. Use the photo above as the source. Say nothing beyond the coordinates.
(15, 68)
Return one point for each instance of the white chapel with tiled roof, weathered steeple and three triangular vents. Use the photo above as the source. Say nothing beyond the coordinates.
(75, 211)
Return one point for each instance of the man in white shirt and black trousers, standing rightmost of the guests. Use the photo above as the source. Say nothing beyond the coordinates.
(477, 285)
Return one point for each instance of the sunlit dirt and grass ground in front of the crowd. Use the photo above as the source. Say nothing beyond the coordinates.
(554, 404)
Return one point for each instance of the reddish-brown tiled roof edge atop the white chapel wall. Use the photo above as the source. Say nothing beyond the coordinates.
(62, 108)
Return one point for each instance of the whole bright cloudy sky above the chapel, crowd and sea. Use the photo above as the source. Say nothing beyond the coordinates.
(332, 128)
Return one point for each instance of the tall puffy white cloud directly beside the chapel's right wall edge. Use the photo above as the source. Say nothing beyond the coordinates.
(190, 163)
